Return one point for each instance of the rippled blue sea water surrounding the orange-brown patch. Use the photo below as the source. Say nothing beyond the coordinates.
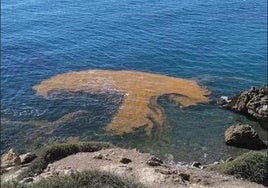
(220, 44)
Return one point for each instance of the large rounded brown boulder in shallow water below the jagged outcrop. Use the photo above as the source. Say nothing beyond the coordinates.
(243, 136)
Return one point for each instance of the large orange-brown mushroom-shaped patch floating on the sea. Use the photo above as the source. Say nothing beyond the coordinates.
(141, 91)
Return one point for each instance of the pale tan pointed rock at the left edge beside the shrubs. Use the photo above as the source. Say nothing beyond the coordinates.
(10, 159)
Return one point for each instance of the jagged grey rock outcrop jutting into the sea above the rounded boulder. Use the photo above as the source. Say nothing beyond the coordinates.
(253, 102)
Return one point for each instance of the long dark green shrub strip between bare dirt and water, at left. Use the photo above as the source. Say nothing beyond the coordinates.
(57, 151)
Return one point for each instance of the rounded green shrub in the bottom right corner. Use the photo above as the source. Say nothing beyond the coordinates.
(252, 166)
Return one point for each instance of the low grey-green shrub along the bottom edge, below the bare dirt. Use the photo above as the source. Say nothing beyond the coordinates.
(86, 179)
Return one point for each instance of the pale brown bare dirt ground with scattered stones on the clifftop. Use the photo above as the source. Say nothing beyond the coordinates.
(144, 168)
